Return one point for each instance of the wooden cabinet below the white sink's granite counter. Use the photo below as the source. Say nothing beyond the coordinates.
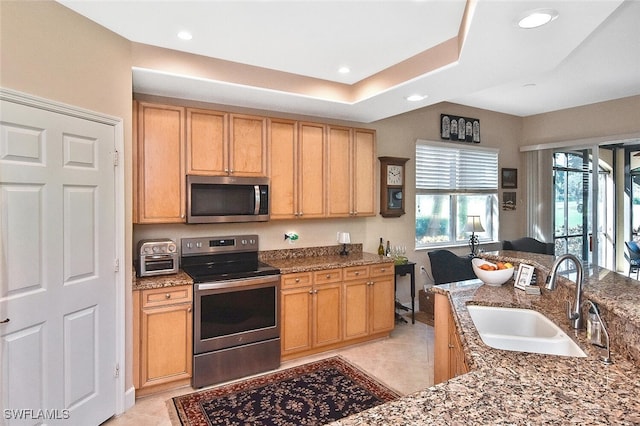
(449, 359)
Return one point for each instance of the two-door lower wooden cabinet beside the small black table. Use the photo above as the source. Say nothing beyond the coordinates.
(369, 298)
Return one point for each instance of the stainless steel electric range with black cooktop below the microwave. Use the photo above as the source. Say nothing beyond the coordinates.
(236, 320)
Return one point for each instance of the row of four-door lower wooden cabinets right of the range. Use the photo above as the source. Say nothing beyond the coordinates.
(333, 308)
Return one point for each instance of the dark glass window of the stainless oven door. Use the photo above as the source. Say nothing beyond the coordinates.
(223, 314)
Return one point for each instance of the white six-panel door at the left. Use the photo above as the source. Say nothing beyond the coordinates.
(57, 276)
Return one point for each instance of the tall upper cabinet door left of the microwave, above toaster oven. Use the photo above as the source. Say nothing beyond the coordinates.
(160, 169)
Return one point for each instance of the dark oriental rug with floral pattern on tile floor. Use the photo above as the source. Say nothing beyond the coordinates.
(311, 394)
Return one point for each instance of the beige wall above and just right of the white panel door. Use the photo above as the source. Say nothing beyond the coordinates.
(48, 51)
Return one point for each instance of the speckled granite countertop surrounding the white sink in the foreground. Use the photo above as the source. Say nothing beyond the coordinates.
(505, 387)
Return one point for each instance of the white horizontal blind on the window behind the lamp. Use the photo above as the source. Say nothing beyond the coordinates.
(447, 167)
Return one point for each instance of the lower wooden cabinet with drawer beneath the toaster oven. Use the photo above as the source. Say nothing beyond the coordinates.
(162, 324)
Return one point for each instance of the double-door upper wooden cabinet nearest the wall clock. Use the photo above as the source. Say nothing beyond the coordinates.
(350, 178)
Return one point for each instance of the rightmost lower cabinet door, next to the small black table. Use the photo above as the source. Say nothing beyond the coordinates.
(382, 304)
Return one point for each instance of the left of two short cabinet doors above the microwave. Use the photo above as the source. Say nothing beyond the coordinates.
(207, 142)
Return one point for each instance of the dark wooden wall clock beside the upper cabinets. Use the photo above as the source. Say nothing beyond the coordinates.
(392, 175)
